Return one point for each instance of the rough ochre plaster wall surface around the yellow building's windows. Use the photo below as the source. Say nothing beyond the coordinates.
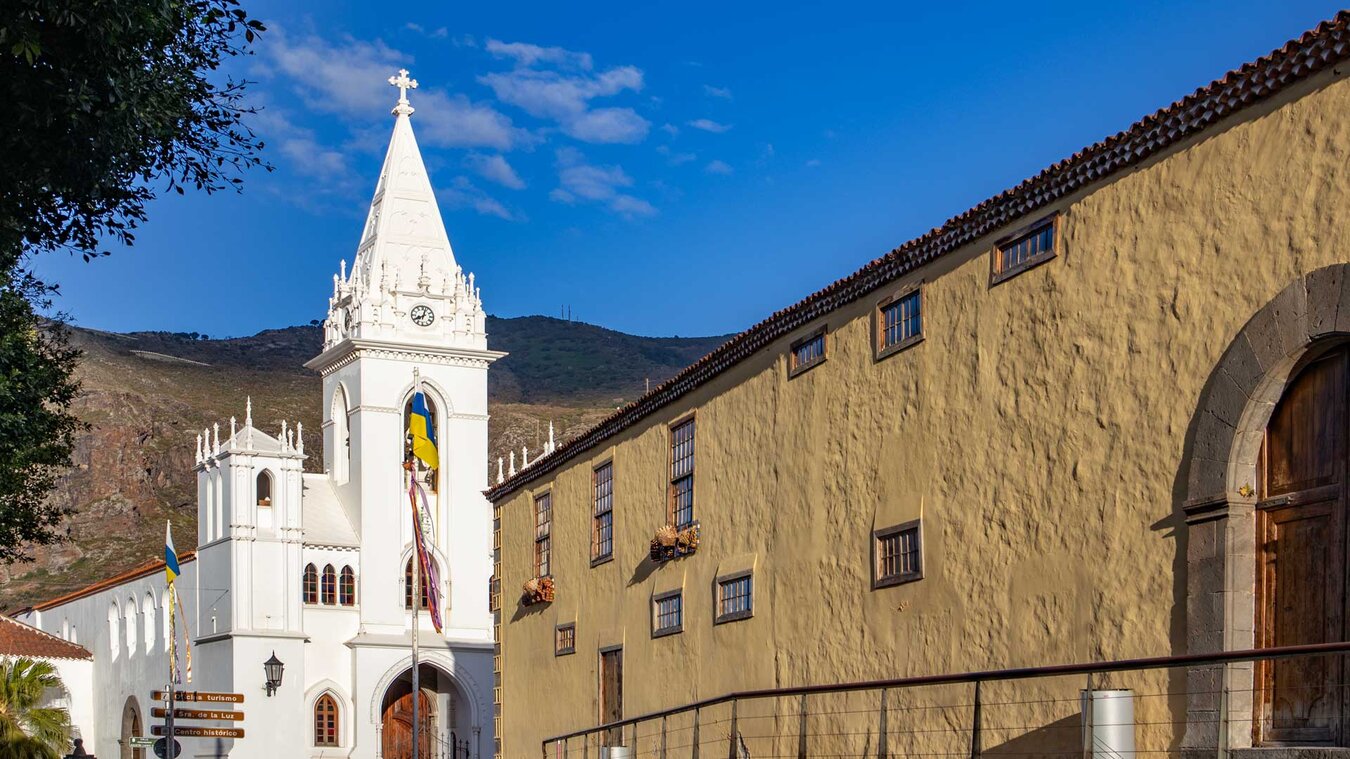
(1043, 427)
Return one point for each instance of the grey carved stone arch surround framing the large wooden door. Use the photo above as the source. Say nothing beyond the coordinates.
(1220, 484)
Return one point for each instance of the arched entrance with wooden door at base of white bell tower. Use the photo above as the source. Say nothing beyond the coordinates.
(443, 718)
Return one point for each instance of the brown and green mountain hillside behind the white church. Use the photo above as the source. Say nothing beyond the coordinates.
(146, 395)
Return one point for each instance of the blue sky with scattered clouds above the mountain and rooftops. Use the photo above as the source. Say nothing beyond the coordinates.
(662, 168)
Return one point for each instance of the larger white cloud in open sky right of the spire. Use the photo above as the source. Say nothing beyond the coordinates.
(557, 84)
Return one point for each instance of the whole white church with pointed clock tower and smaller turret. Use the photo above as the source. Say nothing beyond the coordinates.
(317, 569)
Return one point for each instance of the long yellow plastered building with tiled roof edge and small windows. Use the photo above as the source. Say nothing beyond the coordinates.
(1067, 426)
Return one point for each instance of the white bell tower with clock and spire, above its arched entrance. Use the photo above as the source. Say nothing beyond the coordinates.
(406, 311)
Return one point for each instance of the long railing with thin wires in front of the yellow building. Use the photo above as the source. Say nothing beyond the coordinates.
(1013, 712)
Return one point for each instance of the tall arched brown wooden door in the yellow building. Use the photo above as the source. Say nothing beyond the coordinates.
(1302, 557)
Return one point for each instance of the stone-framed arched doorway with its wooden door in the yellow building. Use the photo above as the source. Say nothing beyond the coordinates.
(1274, 363)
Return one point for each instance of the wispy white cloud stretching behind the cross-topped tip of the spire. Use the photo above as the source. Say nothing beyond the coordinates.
(352, 79)
